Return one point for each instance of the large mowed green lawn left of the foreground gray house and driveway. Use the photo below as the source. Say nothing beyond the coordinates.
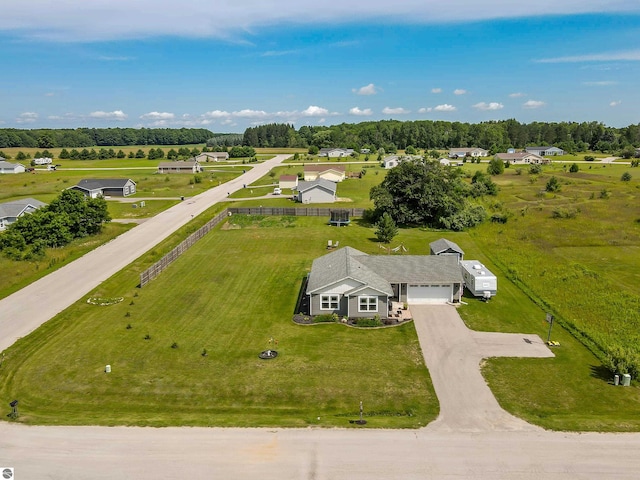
(229, 294)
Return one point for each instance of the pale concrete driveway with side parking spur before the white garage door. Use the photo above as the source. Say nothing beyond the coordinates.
(453, 353)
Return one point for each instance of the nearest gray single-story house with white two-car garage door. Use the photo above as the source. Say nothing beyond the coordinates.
(351, 283)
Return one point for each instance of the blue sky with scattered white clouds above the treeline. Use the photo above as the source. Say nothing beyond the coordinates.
(226, 65)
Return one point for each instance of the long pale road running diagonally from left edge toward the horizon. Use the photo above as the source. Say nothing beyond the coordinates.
(27, 309)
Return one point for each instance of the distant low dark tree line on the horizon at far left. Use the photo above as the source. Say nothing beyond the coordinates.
(92, 137)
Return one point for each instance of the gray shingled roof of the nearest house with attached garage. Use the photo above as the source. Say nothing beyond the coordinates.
(379, 271)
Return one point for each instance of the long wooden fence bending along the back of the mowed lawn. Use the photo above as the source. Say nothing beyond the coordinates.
(154, 270)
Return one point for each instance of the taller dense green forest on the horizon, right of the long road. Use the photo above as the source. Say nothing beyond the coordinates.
(495, 135)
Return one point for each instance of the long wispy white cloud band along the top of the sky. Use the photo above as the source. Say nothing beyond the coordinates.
(120, 19)
